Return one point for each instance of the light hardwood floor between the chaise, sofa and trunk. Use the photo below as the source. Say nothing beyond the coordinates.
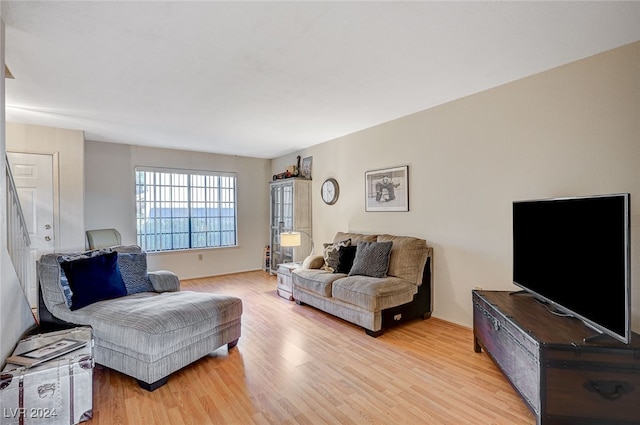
(297, 365)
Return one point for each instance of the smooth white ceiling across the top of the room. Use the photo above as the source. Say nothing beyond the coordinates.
(264, 79)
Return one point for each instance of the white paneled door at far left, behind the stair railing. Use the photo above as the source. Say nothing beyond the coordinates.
(33, 176)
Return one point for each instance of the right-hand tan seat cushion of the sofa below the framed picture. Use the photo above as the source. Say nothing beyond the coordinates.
(372, 293)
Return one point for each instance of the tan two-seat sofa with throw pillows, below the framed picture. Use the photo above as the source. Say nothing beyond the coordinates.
(358, 280)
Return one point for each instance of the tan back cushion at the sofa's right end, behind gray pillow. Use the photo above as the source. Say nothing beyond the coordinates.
(408, 257)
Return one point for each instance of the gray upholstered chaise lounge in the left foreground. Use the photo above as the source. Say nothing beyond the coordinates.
(147, 335)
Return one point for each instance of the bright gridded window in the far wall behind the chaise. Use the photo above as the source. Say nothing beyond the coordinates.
(179, 209)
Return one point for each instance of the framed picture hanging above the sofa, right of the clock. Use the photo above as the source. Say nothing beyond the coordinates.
(387, 189)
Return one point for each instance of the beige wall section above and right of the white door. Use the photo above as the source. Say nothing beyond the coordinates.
(67, 148)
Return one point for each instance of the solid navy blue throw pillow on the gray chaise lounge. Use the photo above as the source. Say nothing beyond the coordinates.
(94, 279)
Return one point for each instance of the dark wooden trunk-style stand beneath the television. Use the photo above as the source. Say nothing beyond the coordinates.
(562, 379)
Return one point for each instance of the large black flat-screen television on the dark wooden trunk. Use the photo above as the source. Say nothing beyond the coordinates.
(574, 253)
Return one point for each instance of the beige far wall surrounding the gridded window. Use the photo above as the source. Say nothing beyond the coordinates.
(110, 202)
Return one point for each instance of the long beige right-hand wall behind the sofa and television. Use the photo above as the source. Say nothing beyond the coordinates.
(570, 131)
